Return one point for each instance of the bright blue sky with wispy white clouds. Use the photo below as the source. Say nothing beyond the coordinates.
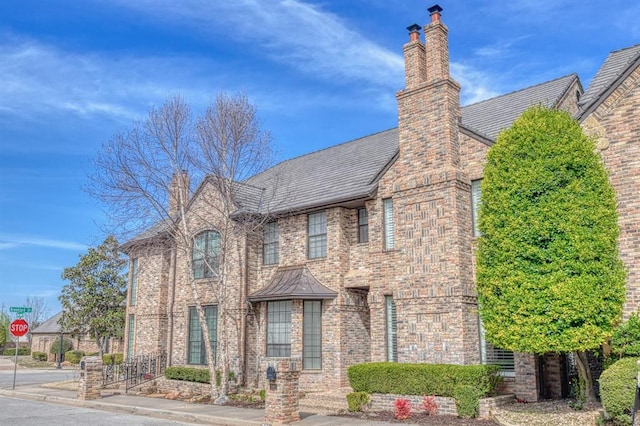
(73, 73)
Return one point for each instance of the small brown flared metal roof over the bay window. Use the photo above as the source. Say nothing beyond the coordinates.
(293, 283)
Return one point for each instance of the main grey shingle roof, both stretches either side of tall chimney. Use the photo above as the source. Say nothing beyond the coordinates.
(349, 171)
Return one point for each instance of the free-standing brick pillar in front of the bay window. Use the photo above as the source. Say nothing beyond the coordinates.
(281, 405)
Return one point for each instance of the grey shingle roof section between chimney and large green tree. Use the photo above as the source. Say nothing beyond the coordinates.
(489, 117)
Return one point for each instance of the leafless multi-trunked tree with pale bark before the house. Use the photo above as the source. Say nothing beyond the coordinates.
(144, 176)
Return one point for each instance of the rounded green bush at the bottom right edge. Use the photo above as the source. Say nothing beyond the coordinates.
(617, 389)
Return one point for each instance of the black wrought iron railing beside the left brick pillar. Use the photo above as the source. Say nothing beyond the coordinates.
(136, 371)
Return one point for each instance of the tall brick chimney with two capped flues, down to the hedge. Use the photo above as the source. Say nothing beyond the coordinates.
(431, 195)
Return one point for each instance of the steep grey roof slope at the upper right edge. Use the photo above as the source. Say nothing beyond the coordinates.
(616, 67)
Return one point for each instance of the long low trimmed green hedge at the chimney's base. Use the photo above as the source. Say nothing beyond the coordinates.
(423, 379)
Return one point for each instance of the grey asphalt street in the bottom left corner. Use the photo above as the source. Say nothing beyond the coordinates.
(33, 413)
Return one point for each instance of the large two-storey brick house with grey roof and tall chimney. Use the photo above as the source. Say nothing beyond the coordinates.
(368, 253)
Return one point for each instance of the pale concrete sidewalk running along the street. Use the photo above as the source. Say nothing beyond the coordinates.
(168, 409)
